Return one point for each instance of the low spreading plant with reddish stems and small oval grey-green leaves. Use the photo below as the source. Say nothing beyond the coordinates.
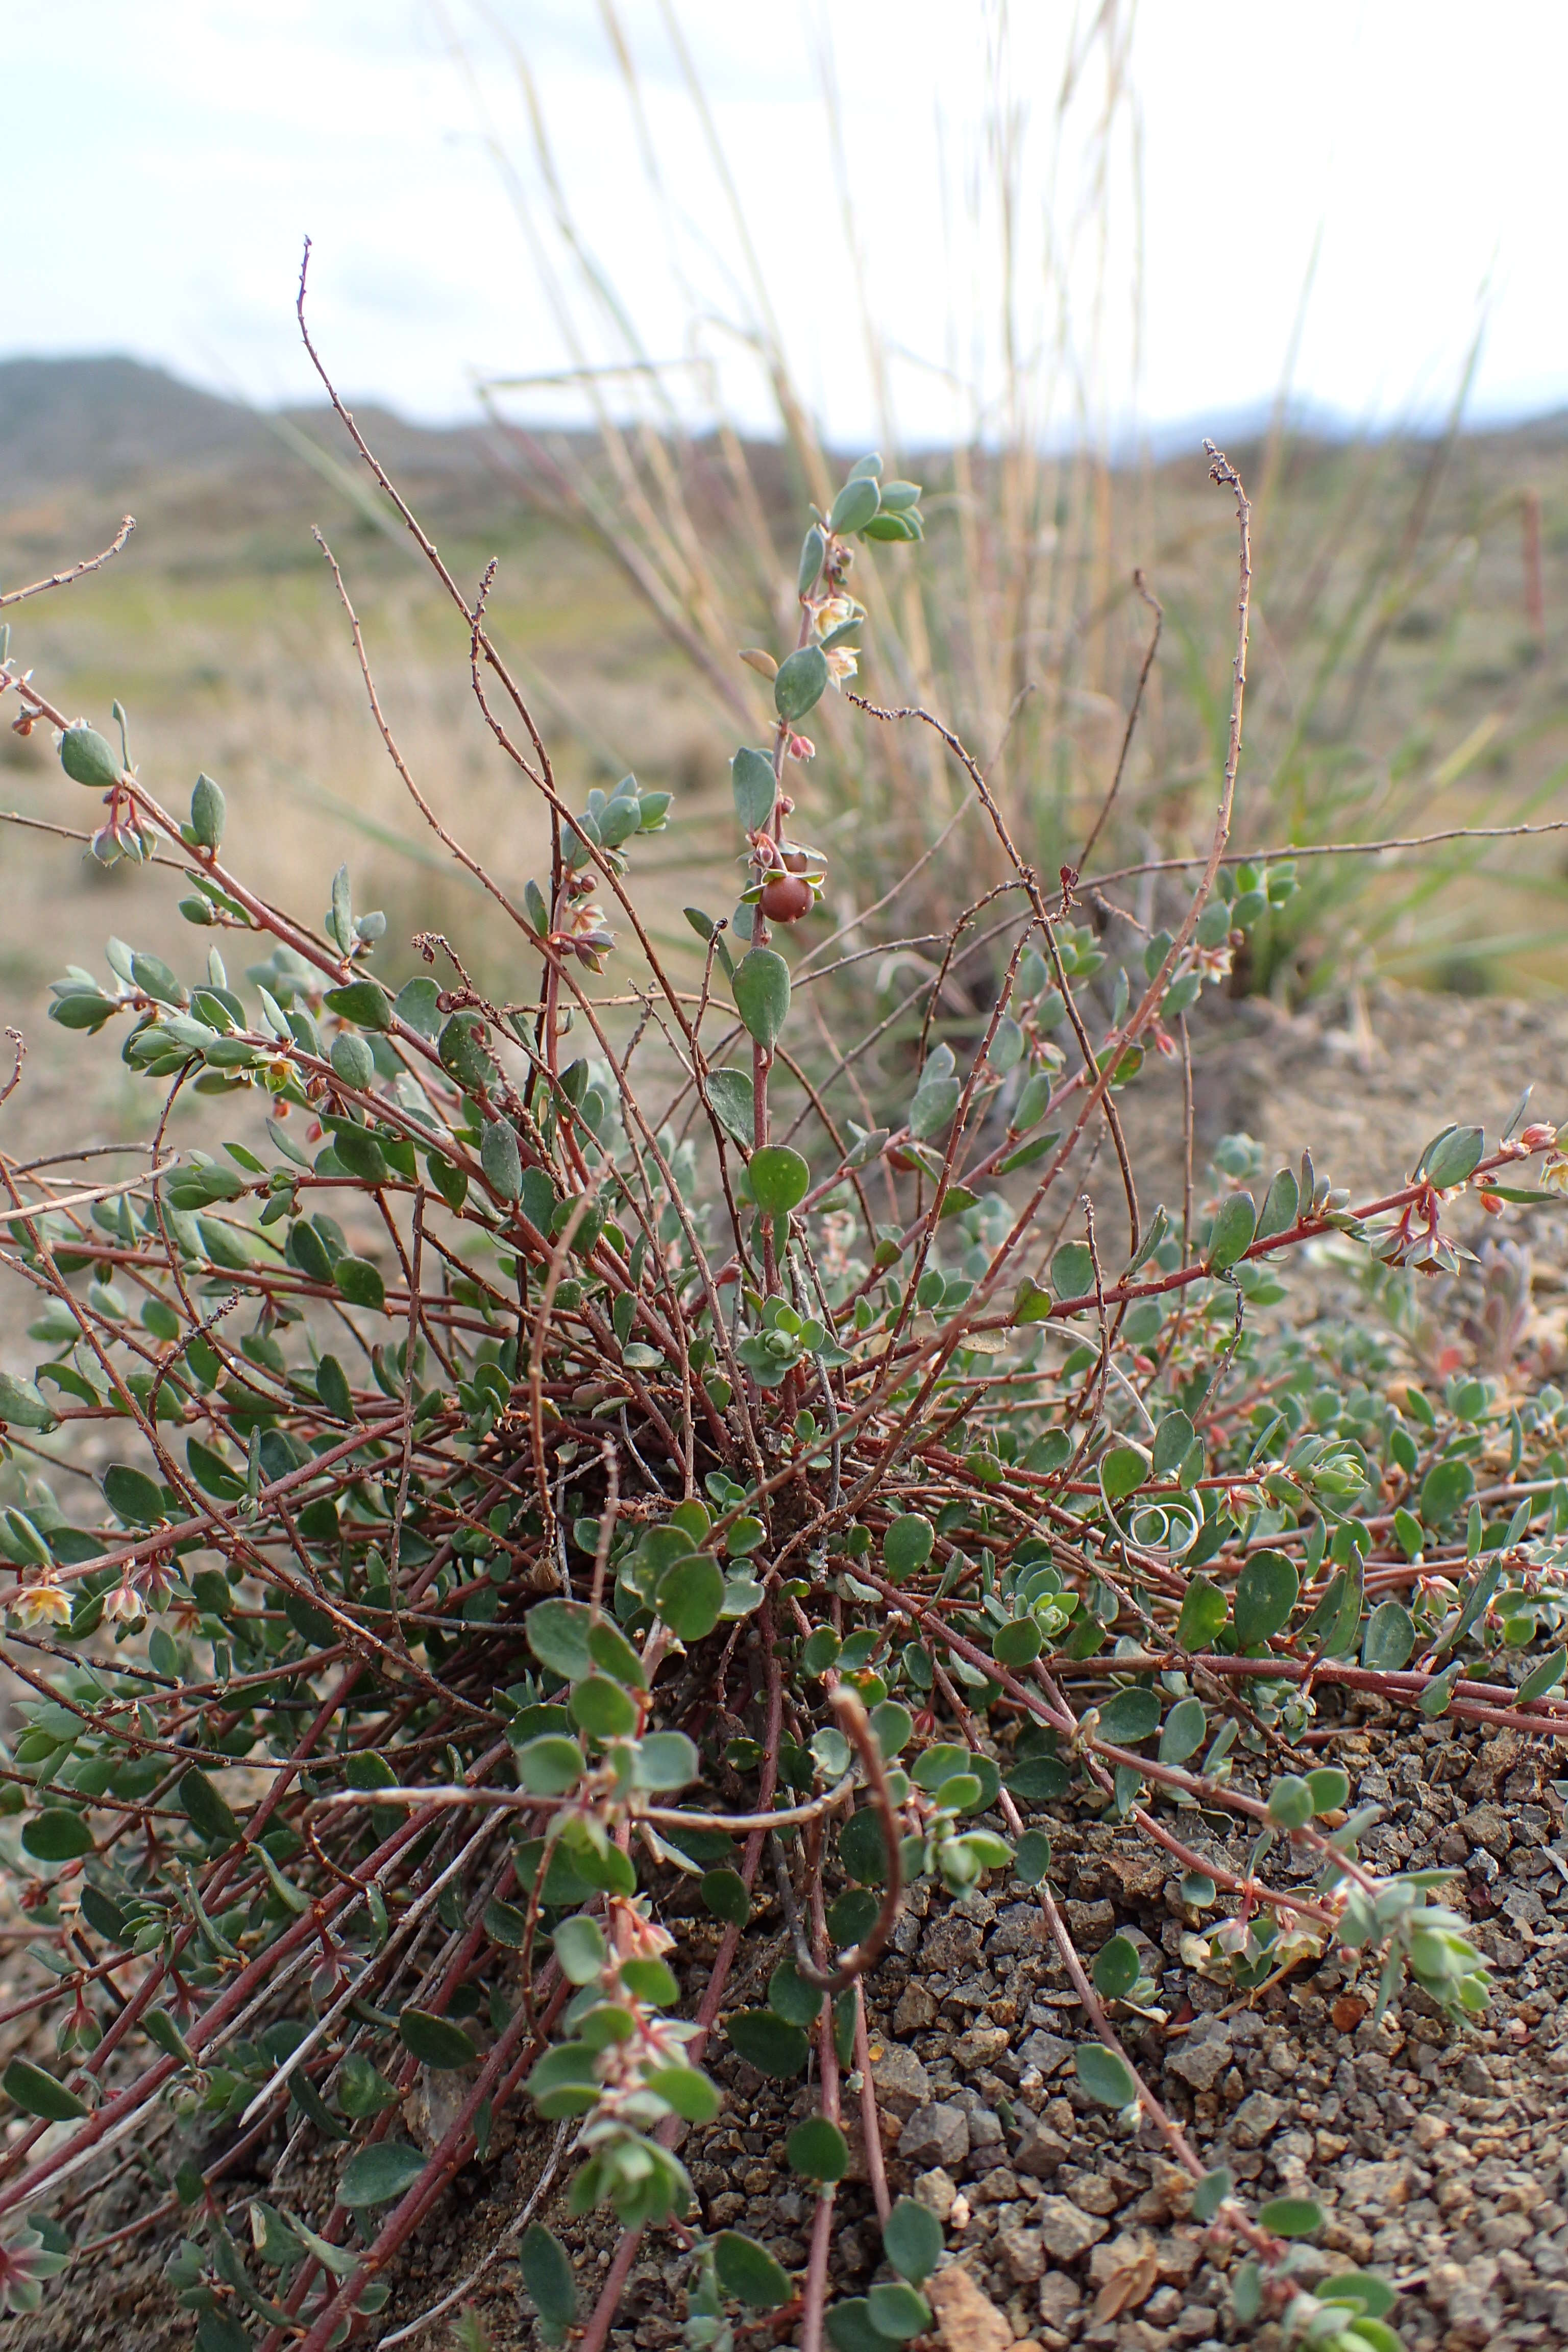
(544, 1488)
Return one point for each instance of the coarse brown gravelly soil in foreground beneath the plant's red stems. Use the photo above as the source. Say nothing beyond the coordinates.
(1440, 2156)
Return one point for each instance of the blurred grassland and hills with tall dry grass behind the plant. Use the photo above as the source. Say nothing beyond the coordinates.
(1402, 676)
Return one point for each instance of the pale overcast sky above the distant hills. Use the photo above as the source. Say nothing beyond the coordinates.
(163, 161)
